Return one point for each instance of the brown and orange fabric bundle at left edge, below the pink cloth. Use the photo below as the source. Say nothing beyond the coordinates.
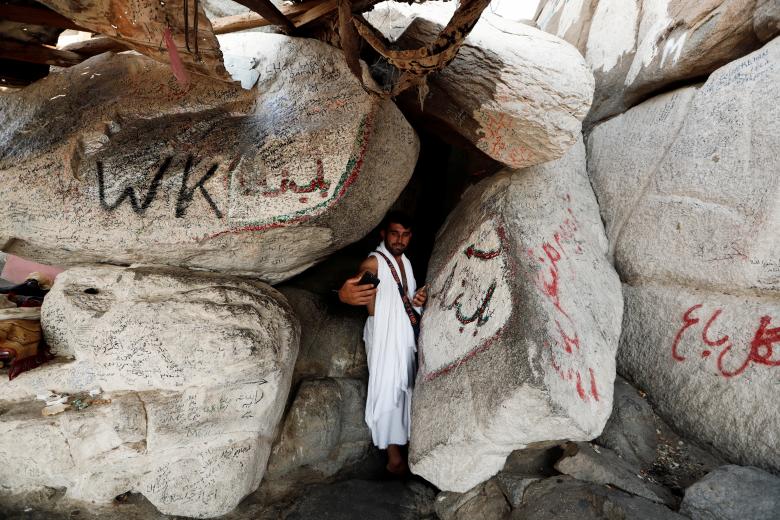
(21, 340)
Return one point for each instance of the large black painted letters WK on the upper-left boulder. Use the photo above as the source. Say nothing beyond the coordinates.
(184, 199)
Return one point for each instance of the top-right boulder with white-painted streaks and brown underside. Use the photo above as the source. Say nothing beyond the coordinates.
(636, 47)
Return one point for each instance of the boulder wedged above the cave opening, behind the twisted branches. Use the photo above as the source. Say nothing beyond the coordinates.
(517, 93)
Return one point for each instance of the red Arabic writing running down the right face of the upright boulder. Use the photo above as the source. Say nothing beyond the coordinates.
(553, 253)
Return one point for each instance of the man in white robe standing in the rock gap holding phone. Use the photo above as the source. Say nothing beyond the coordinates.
(389, 337)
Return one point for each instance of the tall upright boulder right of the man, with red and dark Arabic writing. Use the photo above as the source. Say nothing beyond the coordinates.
(519, 336)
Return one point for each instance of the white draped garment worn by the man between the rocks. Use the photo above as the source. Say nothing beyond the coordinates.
(391, 354)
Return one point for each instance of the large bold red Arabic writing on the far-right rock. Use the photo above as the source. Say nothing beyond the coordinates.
(760, 349)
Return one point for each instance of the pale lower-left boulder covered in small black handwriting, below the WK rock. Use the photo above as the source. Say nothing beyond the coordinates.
(195, 370)
